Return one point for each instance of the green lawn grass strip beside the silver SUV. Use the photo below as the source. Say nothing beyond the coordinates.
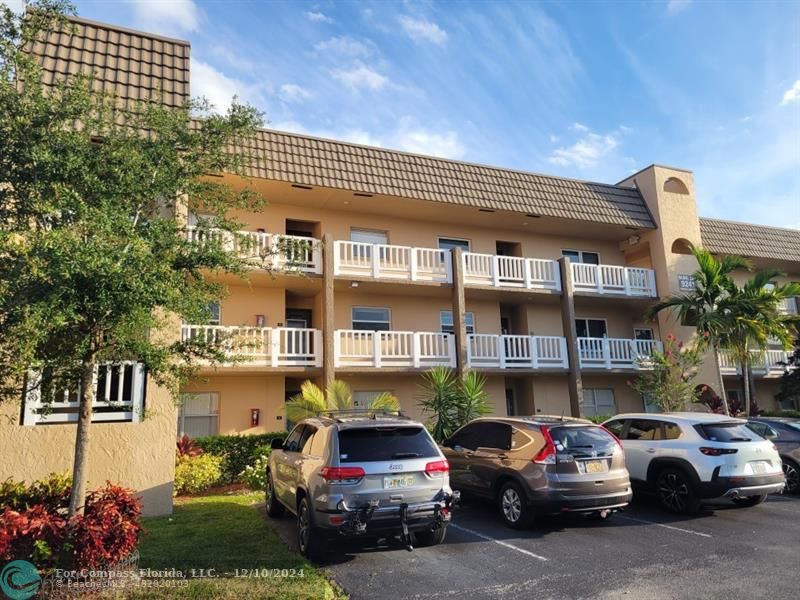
(225, 532)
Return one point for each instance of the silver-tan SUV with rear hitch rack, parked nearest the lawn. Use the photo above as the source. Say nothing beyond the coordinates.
(352, 473)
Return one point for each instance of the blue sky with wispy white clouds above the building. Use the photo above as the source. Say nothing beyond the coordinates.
(590, 90)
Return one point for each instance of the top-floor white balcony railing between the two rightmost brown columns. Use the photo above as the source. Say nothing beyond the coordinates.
(511, 272)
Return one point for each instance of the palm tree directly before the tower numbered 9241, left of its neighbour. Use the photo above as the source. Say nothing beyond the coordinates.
(709, 305)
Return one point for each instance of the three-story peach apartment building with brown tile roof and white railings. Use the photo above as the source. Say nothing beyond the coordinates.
(392, 263)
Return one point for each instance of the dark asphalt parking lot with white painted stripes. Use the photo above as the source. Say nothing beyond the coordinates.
(723, 552)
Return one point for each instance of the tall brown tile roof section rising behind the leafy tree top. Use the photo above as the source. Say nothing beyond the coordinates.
(131, 64)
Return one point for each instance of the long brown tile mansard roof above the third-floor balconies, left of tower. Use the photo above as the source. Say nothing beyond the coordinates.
(328, 163)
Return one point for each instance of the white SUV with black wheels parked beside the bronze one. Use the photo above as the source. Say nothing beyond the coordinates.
(690, 457)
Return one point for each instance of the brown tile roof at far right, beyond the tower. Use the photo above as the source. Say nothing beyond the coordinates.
(745, 239)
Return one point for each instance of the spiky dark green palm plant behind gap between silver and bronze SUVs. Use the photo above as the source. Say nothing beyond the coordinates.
(452, 402)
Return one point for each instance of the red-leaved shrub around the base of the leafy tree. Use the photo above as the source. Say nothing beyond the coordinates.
(108, 530)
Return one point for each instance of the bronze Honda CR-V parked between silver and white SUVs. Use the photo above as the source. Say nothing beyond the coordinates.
(539, 465)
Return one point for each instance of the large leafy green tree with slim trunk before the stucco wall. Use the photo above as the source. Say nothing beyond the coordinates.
(95, 265)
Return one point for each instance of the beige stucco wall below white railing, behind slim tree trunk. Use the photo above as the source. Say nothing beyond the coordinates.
(140, 456)
